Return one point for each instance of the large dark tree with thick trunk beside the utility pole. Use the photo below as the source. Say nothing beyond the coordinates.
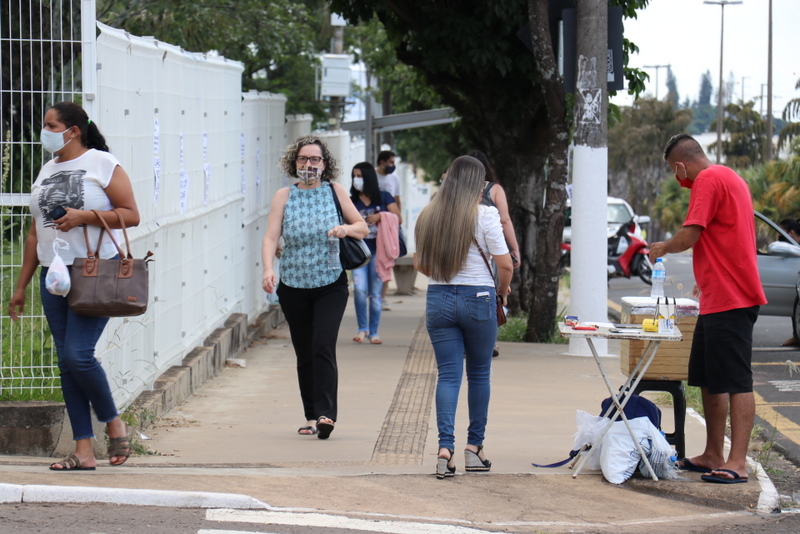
(512, 106)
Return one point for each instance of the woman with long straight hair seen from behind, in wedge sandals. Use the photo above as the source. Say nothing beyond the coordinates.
(452, 234)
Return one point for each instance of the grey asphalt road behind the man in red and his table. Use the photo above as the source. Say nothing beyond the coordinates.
(777, 385)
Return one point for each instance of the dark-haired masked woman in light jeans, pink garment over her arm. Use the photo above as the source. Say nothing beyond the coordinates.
(372, 204)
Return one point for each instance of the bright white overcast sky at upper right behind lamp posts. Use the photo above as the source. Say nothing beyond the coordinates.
(686, 35)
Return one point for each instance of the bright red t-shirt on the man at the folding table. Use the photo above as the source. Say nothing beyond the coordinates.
(725, 264)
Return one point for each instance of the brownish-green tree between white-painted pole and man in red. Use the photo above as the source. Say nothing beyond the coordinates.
(635, 147)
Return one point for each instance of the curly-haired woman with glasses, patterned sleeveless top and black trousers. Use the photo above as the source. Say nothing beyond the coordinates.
(312, 295)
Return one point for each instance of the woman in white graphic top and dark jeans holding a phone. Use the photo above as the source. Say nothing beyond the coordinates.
(83, 176)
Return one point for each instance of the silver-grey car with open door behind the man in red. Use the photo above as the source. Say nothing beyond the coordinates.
(779, 269)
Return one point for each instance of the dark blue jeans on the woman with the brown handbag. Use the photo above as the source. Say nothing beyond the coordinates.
(83, 380)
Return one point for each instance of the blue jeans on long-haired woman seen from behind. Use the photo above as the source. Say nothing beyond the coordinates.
(462, 325)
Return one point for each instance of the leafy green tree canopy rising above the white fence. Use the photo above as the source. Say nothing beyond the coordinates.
(277, 41)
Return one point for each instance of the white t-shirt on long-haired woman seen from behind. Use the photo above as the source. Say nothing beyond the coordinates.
(489, 235)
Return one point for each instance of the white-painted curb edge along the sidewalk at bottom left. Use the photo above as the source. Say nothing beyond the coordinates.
(12, 493)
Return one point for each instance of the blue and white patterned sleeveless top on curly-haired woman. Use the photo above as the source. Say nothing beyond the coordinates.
(307, 217)
